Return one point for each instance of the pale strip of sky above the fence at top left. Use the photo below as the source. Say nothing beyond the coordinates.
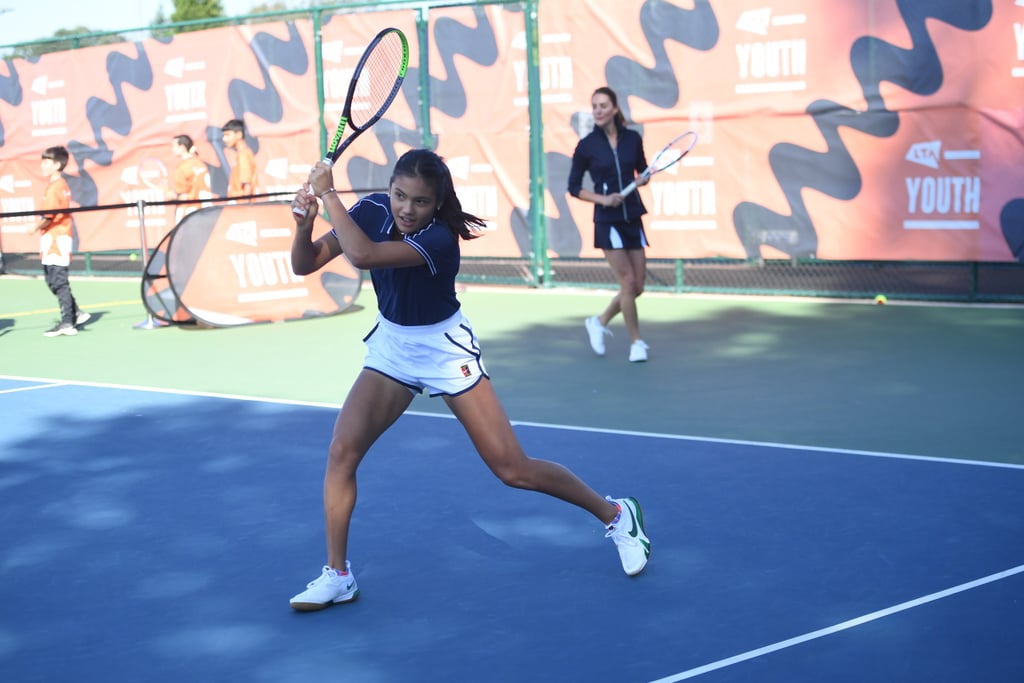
(30, 20)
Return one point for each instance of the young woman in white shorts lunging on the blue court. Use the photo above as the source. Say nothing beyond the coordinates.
(409, 241)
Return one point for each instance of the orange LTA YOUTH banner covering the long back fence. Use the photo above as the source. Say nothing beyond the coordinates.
(884, 130)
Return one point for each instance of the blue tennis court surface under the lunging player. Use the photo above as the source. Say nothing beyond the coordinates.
(158, 536)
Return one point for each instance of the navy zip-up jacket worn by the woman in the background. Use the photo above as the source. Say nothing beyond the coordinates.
(611, 170)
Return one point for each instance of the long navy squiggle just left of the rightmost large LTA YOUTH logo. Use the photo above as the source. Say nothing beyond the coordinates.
(834, 173)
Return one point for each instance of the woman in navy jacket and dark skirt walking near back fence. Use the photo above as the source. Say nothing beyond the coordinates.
(614, 156)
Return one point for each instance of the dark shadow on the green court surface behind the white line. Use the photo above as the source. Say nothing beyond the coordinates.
(928, 381)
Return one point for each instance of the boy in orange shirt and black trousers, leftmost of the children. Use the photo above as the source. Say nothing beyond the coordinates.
(56, 242)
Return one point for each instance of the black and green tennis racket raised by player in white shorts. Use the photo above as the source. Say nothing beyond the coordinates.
(375, 84)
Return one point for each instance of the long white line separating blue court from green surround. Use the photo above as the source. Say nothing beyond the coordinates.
(540, 425)
